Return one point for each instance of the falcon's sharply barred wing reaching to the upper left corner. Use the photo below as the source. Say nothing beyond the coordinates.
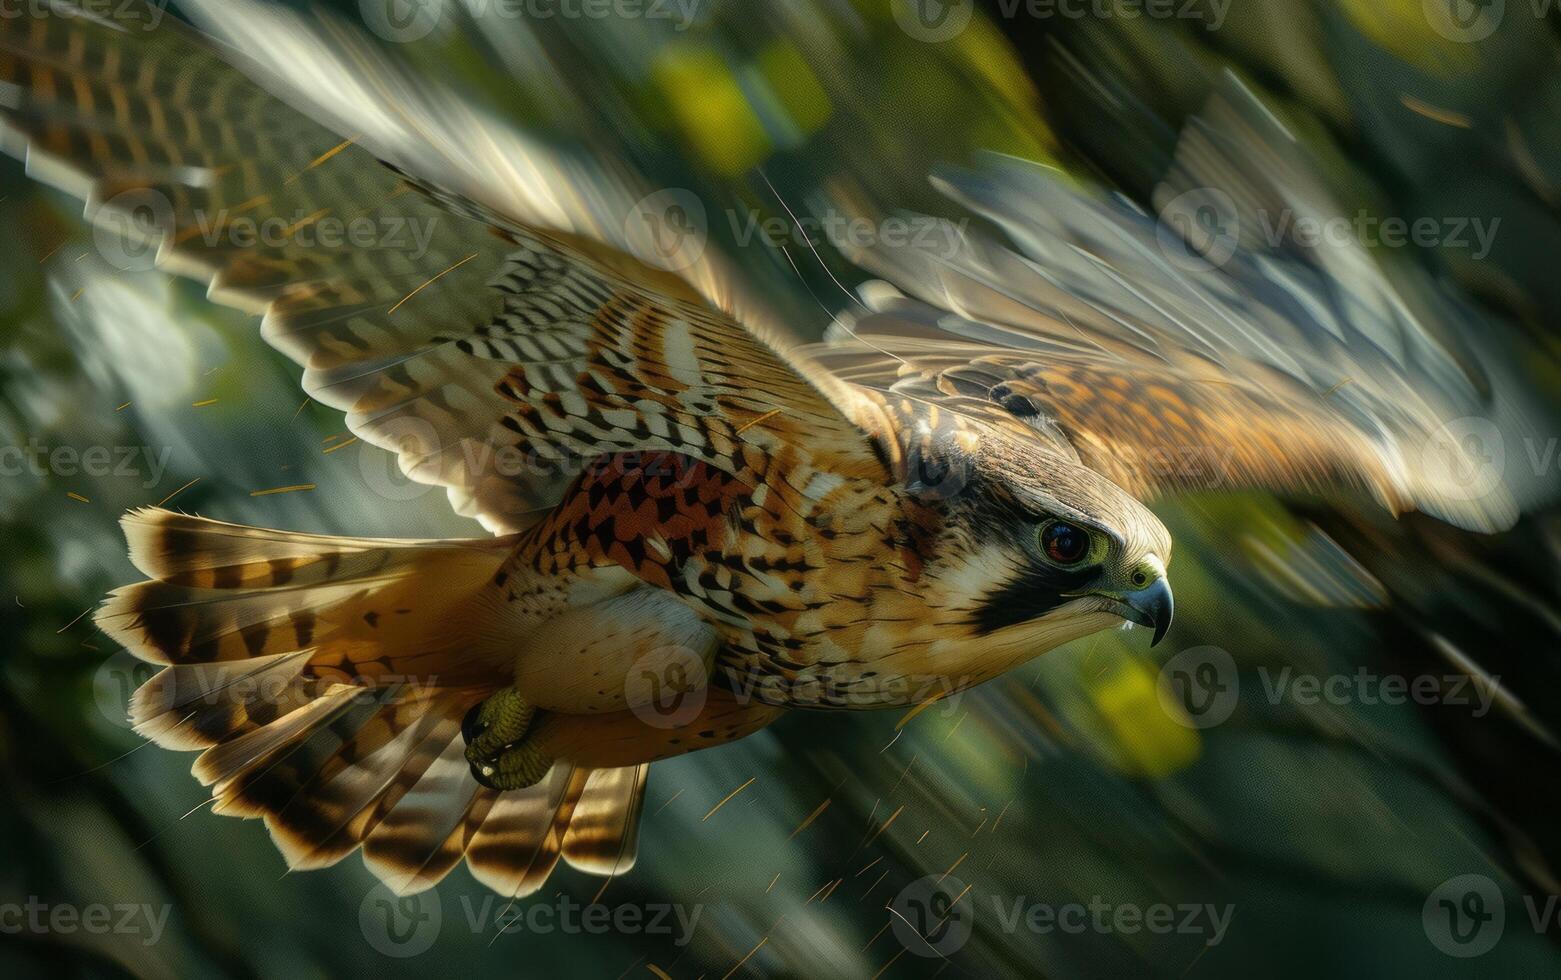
(492, 352)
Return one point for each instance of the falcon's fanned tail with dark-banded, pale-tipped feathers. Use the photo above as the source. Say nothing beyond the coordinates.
(324, 681)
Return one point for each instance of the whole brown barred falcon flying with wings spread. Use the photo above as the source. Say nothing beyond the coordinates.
(686, 510)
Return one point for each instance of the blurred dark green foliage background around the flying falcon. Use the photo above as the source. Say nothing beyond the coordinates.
(1326, 828)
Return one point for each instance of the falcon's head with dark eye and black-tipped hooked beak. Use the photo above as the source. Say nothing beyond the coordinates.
(1040, 549)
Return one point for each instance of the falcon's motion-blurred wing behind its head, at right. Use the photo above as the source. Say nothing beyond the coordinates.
(1187, 363)
